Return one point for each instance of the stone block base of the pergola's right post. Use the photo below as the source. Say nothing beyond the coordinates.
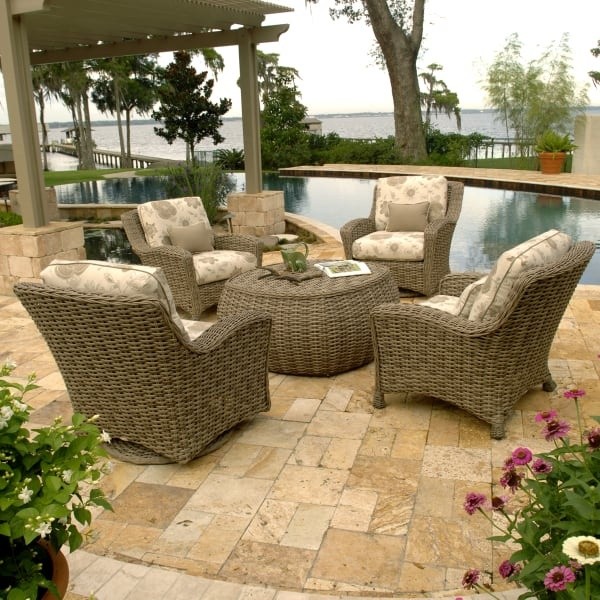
(258, 214)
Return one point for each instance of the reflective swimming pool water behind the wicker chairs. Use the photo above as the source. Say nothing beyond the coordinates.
(491, 221)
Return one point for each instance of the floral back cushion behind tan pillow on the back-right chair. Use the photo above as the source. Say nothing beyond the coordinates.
(410, 189)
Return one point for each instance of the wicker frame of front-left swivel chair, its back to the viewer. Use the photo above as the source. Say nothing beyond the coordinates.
(161, 398)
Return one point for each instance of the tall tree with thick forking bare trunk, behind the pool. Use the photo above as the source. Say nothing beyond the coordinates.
(398, 29)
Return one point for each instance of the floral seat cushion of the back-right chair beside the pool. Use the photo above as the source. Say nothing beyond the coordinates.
(390, 245)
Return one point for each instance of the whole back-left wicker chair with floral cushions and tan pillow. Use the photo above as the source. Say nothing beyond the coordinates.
(195, 263)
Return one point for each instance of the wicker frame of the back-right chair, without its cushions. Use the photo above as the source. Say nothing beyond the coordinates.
(420, 276)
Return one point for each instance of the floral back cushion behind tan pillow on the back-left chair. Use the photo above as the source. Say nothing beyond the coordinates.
(156, 217)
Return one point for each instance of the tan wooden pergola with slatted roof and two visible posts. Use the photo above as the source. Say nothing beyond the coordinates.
(46, 31)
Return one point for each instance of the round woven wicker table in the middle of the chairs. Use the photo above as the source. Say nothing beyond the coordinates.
(320, 325)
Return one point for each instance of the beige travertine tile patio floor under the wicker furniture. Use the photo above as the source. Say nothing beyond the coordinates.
(321, 497)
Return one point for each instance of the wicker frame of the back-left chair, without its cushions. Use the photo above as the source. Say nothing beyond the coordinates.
(178, 266)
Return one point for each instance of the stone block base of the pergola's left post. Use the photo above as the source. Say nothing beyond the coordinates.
(26, 251)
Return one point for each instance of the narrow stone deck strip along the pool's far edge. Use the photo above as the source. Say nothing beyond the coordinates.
(563, 184)
